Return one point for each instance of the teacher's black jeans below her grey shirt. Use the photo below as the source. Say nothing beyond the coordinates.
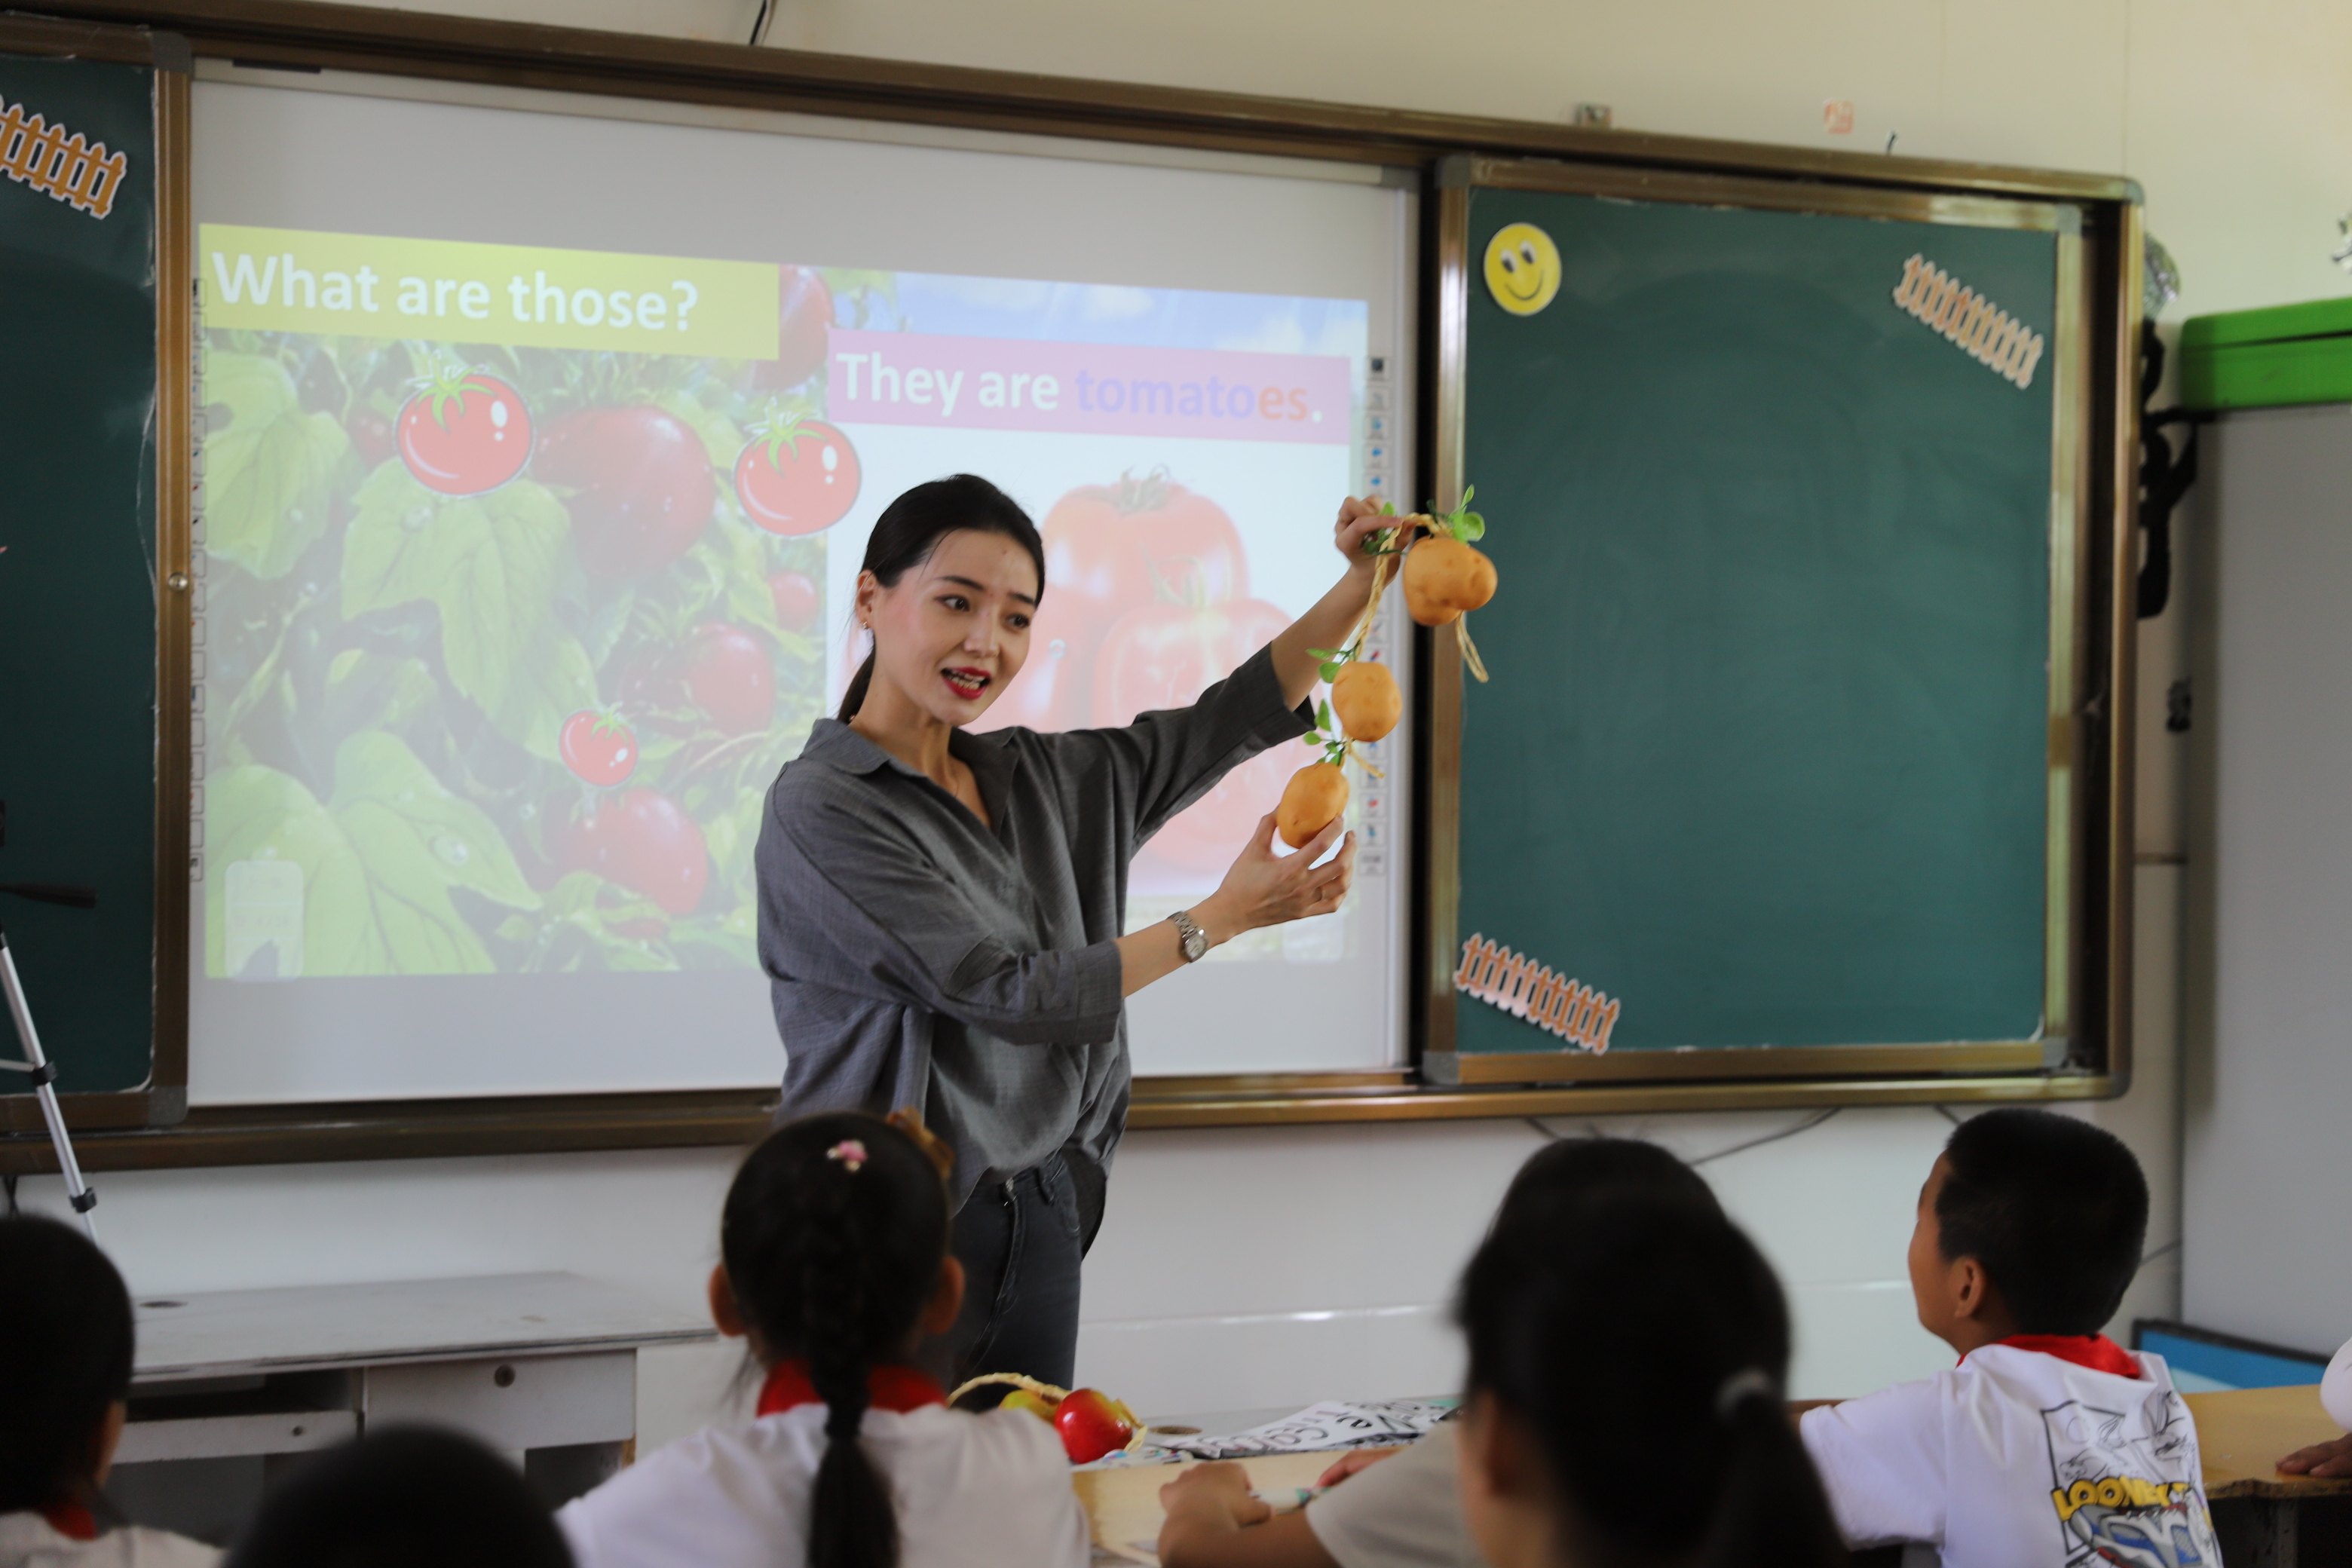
(1022, 1245)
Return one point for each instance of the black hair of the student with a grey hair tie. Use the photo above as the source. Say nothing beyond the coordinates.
(1633, 1327)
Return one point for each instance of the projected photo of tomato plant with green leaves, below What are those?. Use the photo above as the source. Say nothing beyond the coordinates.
(505, 645)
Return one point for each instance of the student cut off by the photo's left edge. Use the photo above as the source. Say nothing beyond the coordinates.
(65, 1386)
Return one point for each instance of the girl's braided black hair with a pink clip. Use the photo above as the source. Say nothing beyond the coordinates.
(834, 1238)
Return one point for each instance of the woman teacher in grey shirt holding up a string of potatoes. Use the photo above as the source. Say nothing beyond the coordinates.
(940, 913)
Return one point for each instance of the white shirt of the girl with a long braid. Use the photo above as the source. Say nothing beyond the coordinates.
(975, 1492)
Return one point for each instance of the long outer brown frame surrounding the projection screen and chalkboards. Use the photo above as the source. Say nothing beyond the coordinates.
(305, 36)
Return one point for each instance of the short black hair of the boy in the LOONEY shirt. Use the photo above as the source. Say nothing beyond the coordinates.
(2057, 1212)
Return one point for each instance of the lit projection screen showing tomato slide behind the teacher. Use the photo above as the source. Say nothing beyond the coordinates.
(540, 453)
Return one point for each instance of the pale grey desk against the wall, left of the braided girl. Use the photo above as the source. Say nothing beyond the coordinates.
(234, 1383)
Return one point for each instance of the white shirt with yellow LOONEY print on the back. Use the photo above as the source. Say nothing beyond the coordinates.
(2017, 1459)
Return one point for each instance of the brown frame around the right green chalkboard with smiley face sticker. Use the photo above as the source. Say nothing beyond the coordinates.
(2087, 909)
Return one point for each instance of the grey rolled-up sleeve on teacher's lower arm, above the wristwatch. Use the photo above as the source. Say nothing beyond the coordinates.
(853, 885)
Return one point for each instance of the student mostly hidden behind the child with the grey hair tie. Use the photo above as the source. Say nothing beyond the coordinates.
(1405, 1510)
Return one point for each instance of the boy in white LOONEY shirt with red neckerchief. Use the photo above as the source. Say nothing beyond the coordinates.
(2047, 1445)
